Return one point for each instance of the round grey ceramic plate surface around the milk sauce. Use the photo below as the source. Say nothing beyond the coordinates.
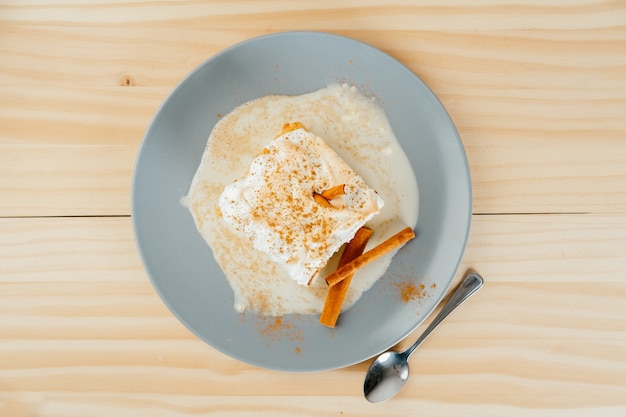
(179, 262)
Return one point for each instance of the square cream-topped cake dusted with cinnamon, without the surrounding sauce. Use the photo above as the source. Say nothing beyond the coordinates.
(299, 202)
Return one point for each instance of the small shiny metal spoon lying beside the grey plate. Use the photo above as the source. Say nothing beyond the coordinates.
(390, 371)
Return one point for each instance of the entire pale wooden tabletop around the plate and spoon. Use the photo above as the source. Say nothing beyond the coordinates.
(538, 93)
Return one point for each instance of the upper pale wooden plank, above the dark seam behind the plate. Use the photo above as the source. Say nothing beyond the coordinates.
(538, 92)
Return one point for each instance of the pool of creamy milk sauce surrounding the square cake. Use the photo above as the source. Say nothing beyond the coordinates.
(355, 126)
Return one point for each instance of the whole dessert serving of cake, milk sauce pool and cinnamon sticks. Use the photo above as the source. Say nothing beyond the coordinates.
(278, 214)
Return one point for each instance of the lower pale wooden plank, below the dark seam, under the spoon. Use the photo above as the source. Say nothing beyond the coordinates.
(81, 331)
